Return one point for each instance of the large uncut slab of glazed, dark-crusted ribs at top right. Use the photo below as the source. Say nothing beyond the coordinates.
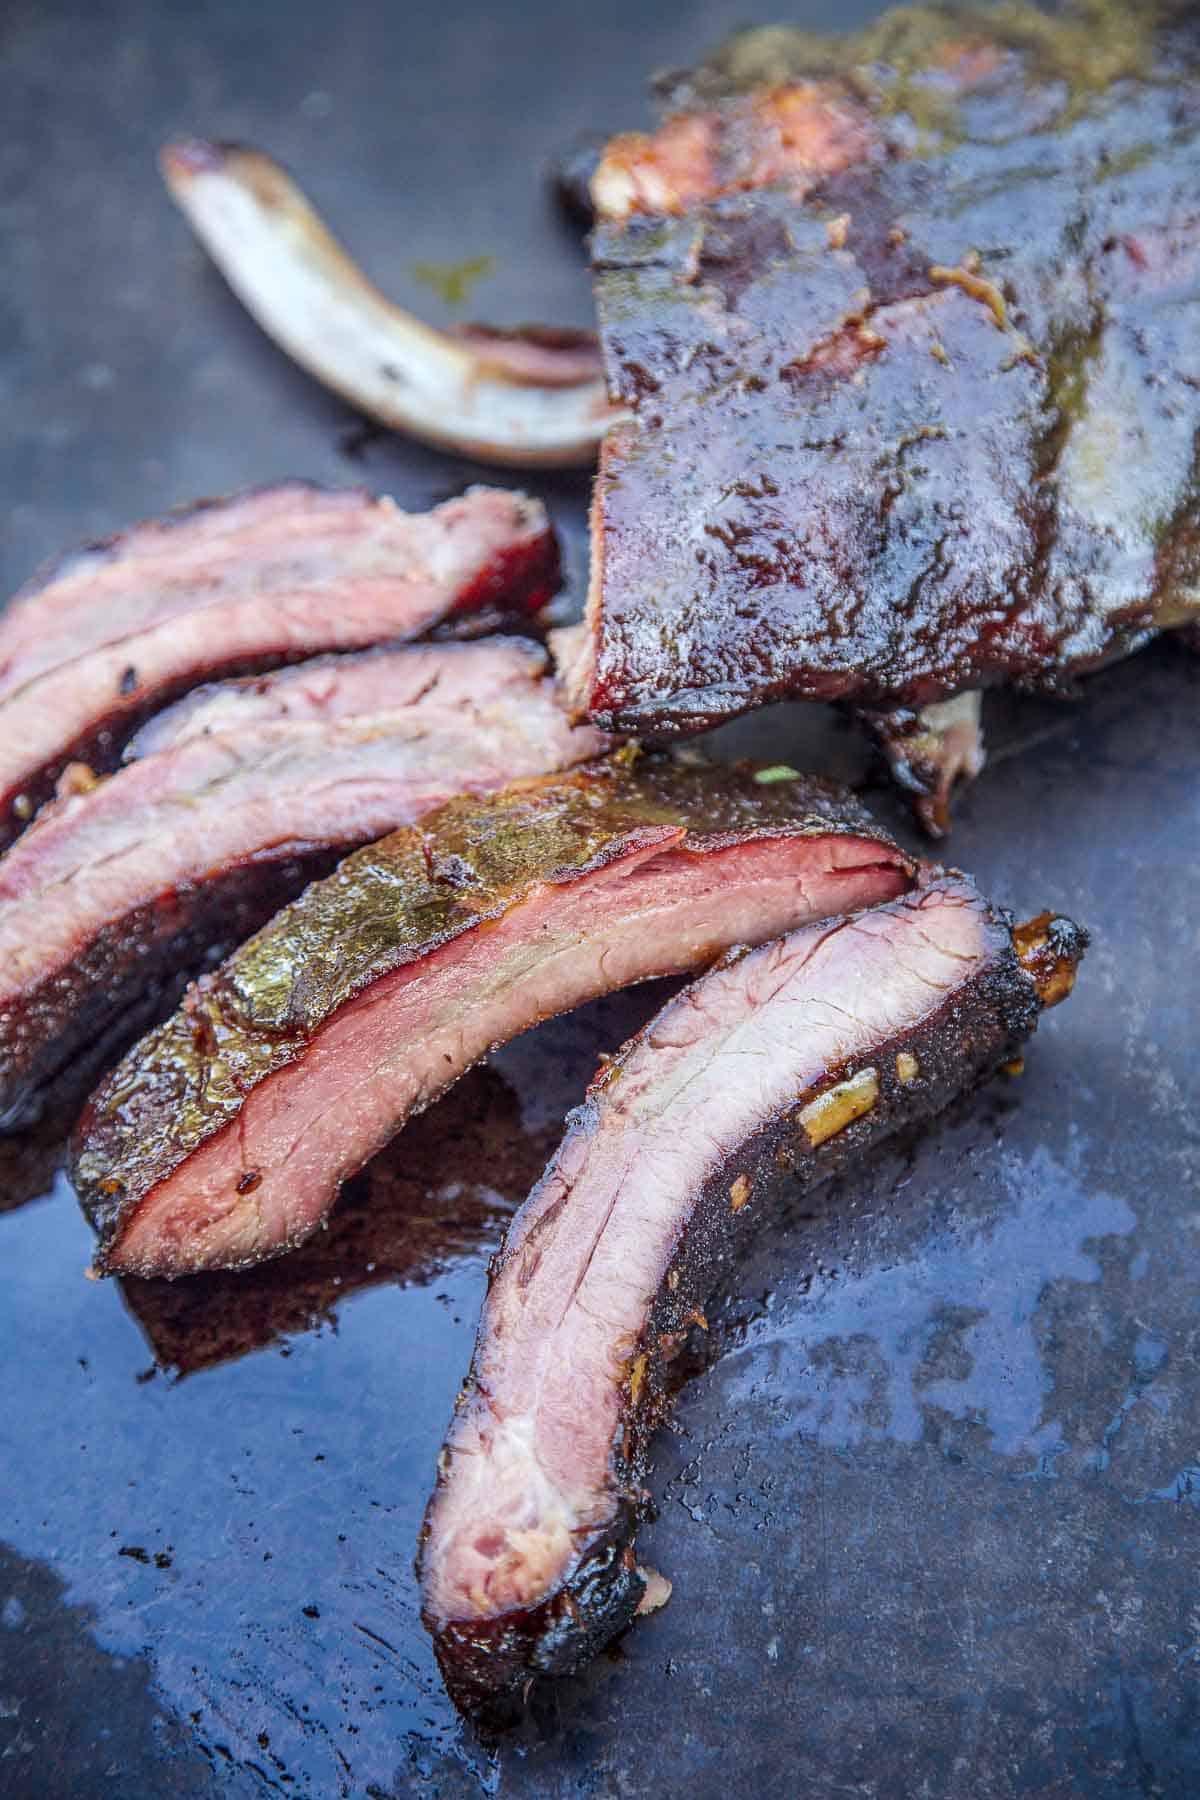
(911, 346)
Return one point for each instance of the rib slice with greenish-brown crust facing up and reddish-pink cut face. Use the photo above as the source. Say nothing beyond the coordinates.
(226, 1135)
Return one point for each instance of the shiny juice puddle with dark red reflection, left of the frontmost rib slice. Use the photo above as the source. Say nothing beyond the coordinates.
(244, 1518)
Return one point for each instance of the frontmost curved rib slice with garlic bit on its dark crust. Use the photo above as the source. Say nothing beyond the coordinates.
(758, 1081)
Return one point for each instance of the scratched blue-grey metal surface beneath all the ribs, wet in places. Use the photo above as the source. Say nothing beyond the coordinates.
(935, 1513)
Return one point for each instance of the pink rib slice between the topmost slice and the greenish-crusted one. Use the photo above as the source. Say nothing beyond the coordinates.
(247, 793)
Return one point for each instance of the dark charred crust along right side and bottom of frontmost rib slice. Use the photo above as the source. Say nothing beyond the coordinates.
(490, 1666)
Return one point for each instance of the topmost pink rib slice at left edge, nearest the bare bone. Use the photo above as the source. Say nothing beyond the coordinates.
(105, 638)
